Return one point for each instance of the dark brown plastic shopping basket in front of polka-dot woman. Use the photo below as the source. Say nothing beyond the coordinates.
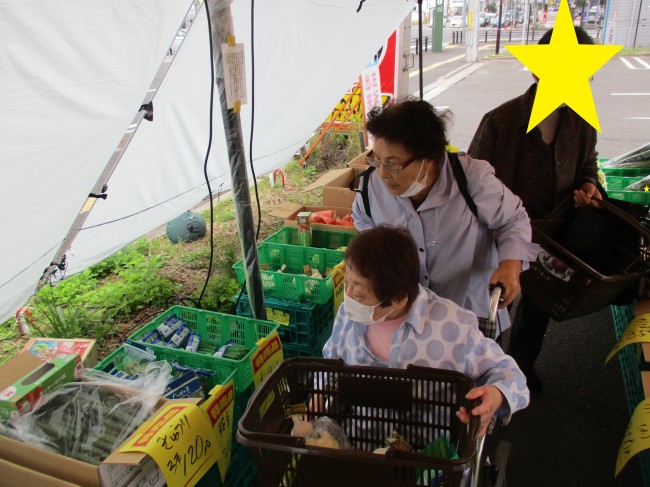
(369, 404)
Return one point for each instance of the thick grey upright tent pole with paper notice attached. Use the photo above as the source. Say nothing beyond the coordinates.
(221, 27)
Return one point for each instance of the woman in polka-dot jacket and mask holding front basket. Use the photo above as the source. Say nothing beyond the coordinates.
(388, 319)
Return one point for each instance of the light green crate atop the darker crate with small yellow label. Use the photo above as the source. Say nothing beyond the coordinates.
(290, 284)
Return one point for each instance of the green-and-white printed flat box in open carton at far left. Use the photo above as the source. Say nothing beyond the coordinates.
(20, 396)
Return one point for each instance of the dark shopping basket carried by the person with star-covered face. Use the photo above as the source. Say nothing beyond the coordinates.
(565, 286)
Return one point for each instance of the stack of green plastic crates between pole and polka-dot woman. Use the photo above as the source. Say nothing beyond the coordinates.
(303, 307)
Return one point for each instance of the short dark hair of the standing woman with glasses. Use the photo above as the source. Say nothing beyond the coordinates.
(414, 124)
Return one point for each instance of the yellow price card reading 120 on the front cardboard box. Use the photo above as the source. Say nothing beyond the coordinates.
(181, 441)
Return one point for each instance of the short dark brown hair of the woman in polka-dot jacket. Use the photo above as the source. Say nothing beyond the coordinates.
(388, 258)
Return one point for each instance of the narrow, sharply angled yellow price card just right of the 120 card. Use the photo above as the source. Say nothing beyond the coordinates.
(220, 410)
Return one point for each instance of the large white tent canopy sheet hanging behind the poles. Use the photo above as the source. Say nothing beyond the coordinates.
(74, 73)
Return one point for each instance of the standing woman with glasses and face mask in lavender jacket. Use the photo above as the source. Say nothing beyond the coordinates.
(418, 185)
